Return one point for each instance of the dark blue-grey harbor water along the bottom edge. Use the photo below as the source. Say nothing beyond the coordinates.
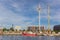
(18, 37)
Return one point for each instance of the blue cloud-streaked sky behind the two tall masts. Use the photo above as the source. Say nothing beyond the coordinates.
(24, 13)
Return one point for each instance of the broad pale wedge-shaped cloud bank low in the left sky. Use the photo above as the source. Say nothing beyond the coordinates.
(9, 17)
